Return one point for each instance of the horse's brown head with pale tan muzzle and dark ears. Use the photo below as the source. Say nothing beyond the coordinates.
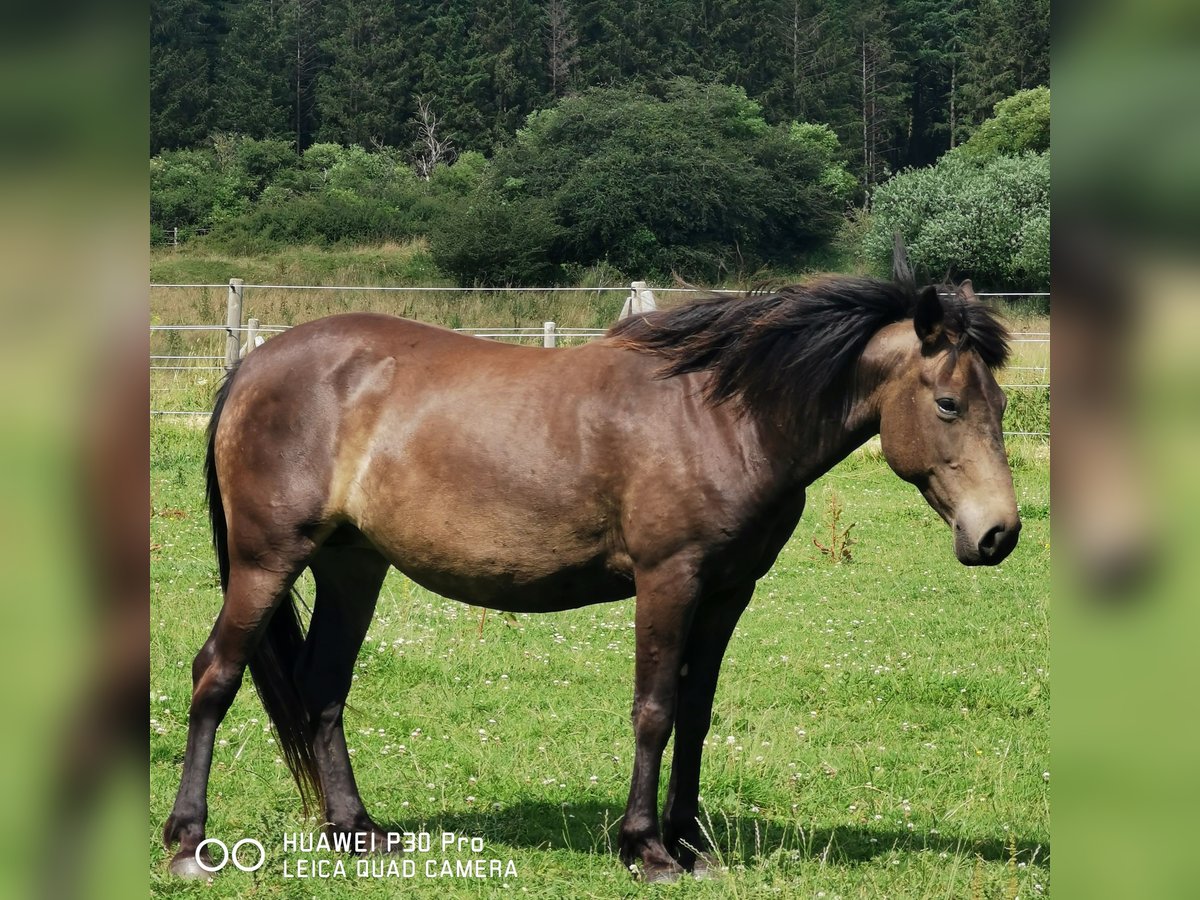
(940, 421)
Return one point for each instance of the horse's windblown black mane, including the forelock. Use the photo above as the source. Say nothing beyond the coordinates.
(785, 353)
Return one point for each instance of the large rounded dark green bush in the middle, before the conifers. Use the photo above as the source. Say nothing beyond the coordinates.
(691, 181)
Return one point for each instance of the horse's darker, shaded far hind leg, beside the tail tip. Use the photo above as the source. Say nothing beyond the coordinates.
(349, 581)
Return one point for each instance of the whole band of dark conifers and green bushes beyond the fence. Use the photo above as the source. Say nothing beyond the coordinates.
(536, 139)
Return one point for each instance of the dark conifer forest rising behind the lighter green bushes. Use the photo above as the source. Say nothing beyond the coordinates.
(898, 81)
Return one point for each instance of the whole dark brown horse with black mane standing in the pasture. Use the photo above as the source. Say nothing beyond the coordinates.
(668, 460)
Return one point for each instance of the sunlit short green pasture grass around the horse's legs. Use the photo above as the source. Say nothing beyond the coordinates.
(881, 729)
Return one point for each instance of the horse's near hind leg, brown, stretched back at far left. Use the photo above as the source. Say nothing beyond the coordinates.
(251, 599)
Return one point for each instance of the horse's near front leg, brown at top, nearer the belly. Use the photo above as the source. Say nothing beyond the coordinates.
(667, 599)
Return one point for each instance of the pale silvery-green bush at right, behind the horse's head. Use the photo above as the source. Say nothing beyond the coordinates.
(986, 221)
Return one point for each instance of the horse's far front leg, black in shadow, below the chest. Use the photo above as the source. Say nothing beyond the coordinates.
(712, 628)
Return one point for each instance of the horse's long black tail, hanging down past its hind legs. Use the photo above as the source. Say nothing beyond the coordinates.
(274, 663)
